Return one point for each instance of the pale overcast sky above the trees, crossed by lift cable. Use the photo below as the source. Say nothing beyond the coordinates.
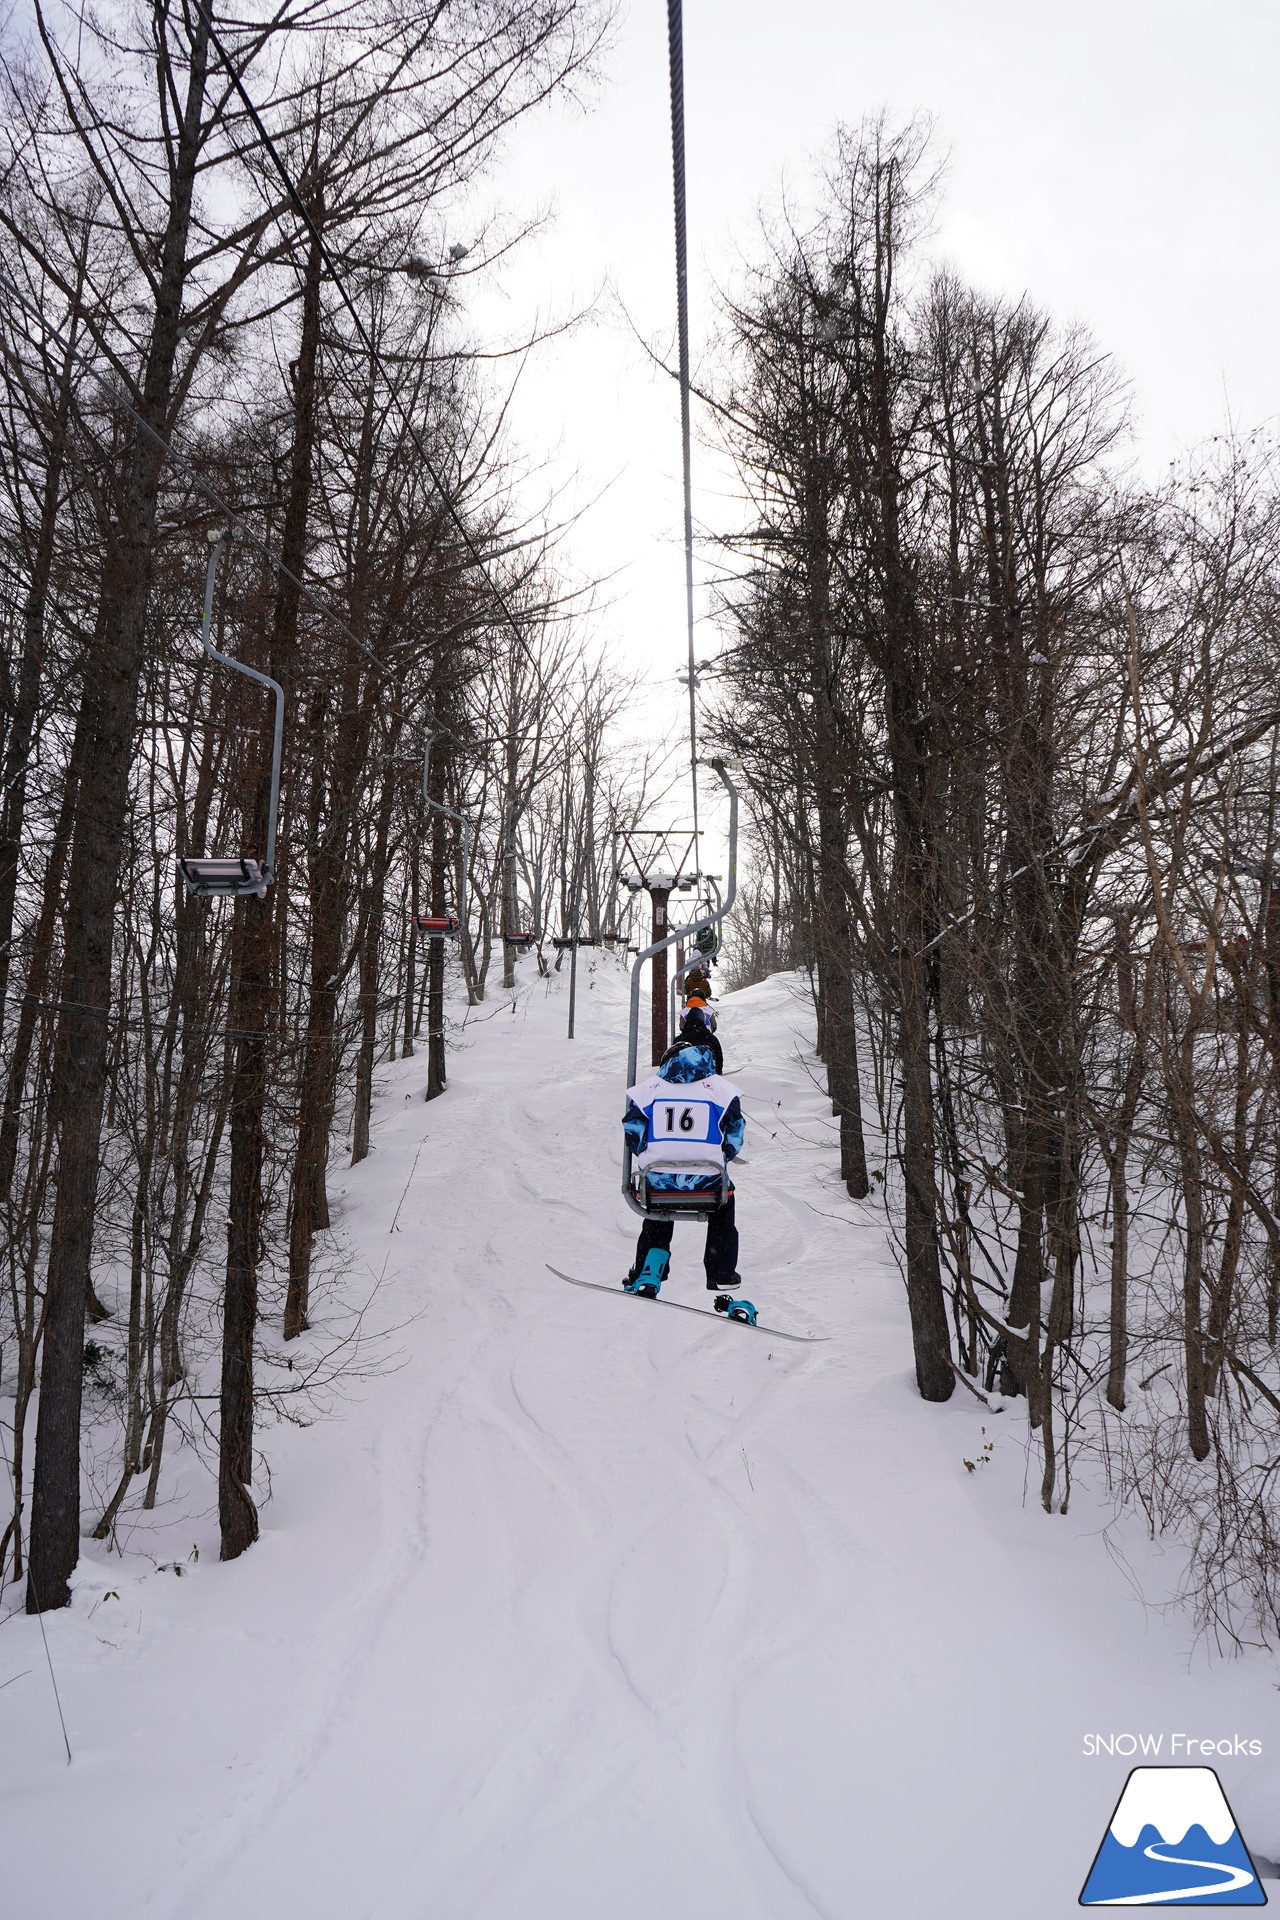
(1116, 160)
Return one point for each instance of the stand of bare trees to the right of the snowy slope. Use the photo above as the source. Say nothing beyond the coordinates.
(1010, 731)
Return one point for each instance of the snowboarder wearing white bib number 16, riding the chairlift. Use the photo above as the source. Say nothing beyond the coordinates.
(686, 1115)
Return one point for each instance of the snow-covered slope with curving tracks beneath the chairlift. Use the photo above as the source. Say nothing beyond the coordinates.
(588, 1610)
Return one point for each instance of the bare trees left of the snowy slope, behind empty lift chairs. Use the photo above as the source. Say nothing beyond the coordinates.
(191, 350)
